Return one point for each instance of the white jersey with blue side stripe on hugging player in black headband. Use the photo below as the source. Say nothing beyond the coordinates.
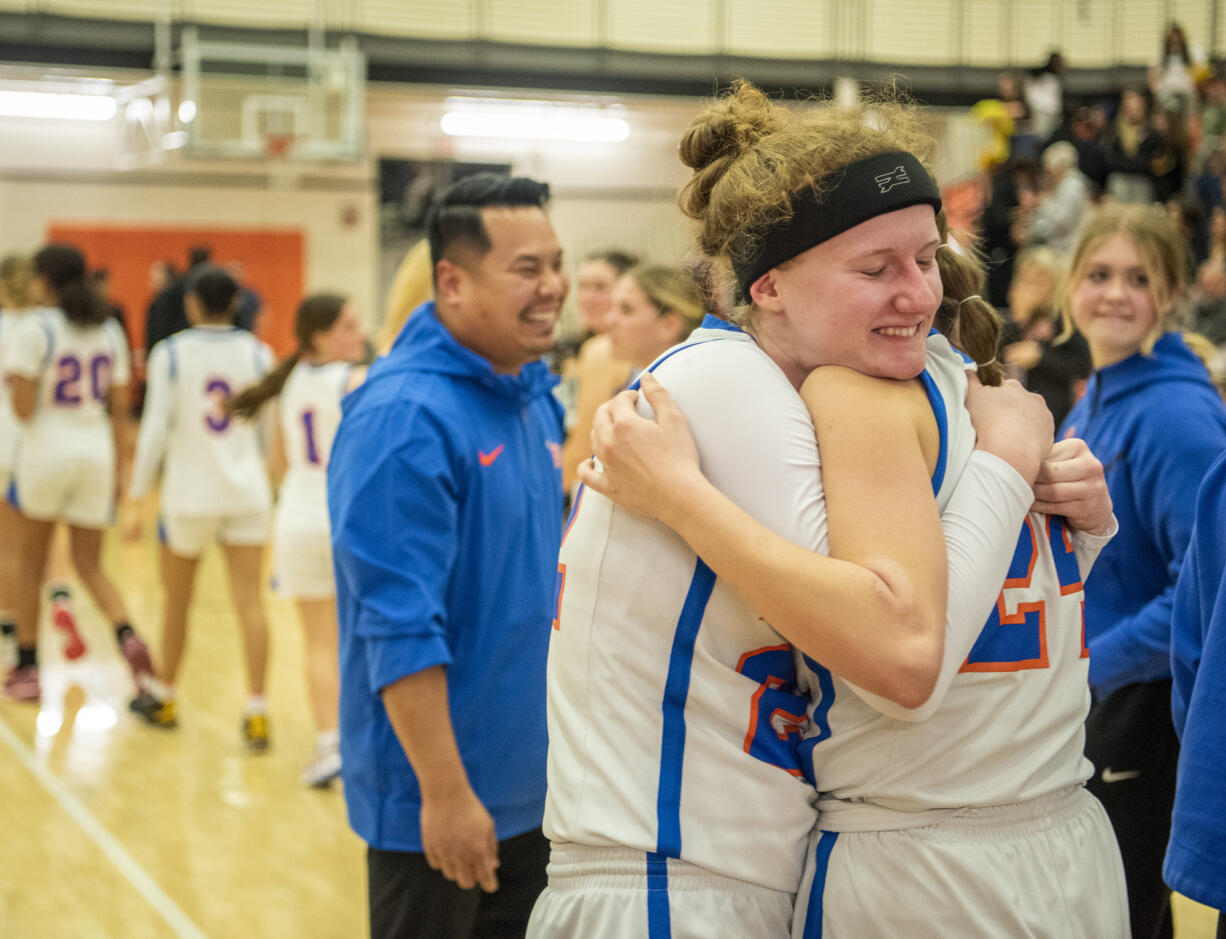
(675, 713)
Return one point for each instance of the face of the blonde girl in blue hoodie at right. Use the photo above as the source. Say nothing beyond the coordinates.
(1113, 301)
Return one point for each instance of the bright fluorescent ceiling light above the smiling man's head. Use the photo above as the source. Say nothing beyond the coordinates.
(533, 121)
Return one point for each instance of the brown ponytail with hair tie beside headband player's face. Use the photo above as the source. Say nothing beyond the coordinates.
(969, 322)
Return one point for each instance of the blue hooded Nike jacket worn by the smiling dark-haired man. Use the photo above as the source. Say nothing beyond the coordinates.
(444, 490)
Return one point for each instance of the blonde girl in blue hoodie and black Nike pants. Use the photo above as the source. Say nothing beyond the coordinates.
(1154, 419)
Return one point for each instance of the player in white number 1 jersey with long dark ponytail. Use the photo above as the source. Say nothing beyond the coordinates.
(310, 386)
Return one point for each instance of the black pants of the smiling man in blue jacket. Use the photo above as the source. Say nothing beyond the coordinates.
(411, 902)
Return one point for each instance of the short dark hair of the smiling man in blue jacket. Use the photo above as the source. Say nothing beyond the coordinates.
(455, 215)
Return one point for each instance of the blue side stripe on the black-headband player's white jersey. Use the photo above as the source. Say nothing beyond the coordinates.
(672, 750)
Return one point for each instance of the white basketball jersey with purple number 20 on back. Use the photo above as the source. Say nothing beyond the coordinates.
(75, 367)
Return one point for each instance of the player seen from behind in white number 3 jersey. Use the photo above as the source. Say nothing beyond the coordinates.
(215, 484)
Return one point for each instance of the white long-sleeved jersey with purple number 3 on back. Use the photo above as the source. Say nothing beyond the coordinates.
(214, 463)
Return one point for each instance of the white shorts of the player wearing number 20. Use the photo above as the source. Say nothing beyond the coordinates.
(78, 492)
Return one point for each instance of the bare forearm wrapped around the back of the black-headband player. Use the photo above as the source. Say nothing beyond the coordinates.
(862, 621)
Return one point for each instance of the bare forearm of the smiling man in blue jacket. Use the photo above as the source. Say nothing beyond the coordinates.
(417, 708)
